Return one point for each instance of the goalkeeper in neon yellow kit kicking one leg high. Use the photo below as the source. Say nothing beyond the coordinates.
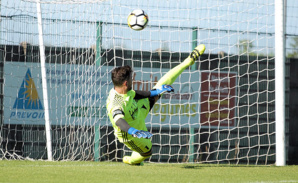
(128, 108)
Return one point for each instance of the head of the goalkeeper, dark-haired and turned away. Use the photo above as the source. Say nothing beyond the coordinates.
(122, 77)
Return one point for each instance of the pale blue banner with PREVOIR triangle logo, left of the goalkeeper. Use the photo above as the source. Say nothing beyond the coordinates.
(76, 94)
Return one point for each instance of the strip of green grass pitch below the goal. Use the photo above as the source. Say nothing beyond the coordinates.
(43, 171)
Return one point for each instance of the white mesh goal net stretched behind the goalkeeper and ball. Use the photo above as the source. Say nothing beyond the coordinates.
(222, 110)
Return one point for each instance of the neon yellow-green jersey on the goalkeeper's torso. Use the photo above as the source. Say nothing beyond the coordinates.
(131, 110)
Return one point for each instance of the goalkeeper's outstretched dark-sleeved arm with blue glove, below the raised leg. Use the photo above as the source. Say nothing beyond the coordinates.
(154, 92)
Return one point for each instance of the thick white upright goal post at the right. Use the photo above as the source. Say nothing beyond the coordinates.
(280, 58)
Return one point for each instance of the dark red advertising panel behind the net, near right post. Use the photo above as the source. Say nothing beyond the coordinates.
(218, 97)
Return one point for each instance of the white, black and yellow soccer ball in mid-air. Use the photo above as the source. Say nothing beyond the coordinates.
(137, 20)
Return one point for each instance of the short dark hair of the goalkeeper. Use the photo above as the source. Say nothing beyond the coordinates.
(121, 74)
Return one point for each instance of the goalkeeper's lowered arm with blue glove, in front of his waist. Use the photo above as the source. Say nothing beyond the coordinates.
(124, 126)
